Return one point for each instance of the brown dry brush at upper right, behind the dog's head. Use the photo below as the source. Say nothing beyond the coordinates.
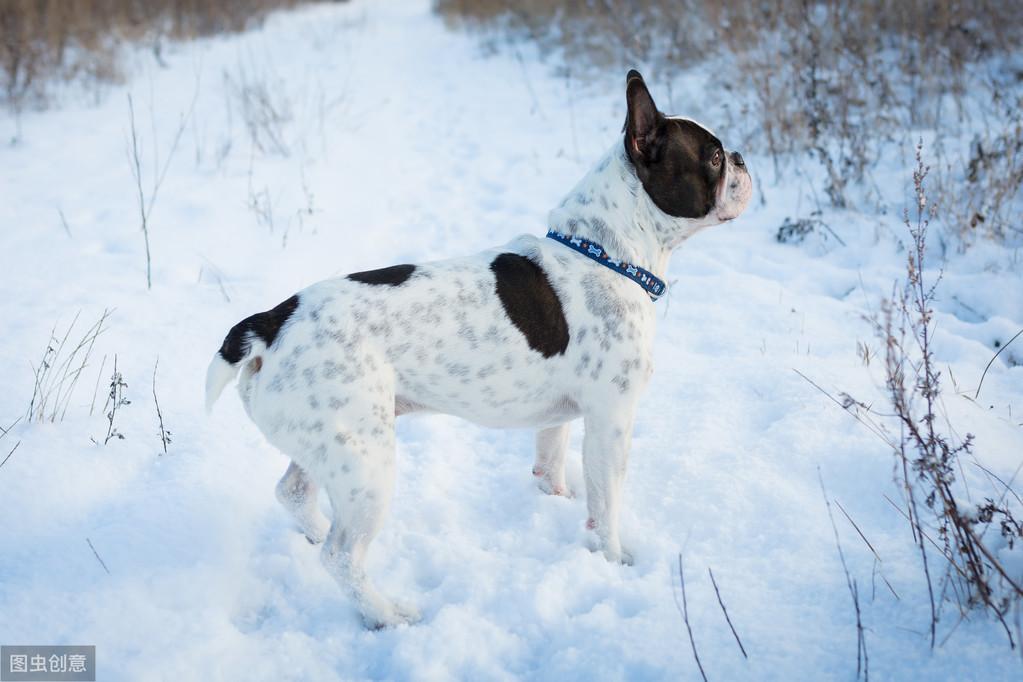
(831, 83)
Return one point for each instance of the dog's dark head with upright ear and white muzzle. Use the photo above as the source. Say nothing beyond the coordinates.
(684, 168)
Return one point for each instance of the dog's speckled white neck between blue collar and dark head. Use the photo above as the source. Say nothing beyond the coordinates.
(610, 207)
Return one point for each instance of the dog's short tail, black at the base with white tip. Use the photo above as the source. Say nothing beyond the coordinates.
(249, 339)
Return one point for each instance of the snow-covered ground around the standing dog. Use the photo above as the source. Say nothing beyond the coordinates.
(406, 143)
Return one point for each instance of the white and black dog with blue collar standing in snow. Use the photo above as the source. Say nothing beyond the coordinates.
(535, 334)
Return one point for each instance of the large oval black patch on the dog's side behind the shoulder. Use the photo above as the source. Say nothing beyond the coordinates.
(531, 304)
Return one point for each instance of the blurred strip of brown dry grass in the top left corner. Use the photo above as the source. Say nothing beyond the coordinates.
(48, 41)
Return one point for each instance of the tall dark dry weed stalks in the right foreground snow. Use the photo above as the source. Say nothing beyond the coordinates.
(929, 460)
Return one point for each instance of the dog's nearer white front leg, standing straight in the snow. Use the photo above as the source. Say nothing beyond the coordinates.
(605, 454)
